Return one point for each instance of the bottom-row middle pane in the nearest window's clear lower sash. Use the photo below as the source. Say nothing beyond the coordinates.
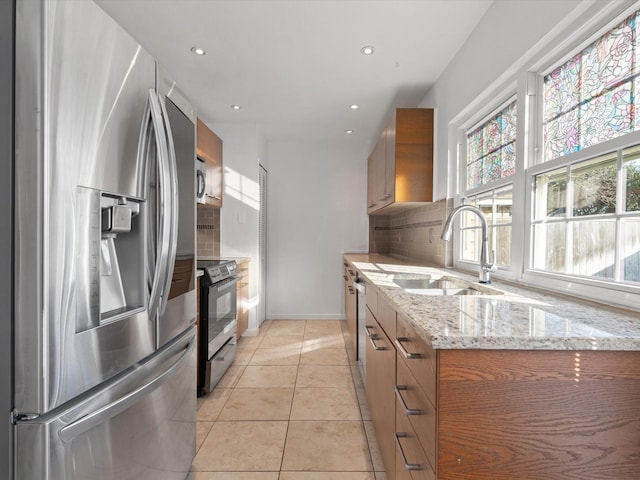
(594, 245)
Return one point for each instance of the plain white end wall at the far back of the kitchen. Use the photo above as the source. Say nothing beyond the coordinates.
(317, 211)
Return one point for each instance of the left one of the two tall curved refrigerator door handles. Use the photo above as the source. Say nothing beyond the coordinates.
(165, 201)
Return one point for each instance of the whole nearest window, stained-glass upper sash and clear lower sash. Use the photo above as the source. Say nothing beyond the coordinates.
(585, 219)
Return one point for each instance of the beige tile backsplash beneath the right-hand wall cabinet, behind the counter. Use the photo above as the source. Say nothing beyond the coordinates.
(413, 234)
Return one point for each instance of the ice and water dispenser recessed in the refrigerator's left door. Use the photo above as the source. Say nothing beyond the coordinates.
(110, 260)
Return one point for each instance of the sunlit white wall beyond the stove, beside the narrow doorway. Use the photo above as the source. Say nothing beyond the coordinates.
(243, 148)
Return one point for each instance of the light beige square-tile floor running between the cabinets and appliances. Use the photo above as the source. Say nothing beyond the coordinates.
(291, 407)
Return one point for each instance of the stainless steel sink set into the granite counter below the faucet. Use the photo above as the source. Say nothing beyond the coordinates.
(423, 285)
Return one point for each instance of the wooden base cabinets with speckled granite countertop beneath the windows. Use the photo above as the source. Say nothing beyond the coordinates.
(516, 385)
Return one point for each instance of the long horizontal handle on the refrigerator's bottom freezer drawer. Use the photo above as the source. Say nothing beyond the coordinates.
(110, 410)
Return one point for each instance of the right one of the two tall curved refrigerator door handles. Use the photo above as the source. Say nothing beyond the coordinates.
(173, 217)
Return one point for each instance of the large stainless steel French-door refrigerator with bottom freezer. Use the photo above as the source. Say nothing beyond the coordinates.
(103, 249)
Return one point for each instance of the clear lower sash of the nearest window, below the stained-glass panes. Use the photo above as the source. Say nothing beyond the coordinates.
(586, 219)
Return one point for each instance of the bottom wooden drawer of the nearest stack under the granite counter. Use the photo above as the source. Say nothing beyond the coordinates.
(410, 457)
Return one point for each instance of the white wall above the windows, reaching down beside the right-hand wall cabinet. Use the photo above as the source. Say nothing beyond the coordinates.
(495, 49)
